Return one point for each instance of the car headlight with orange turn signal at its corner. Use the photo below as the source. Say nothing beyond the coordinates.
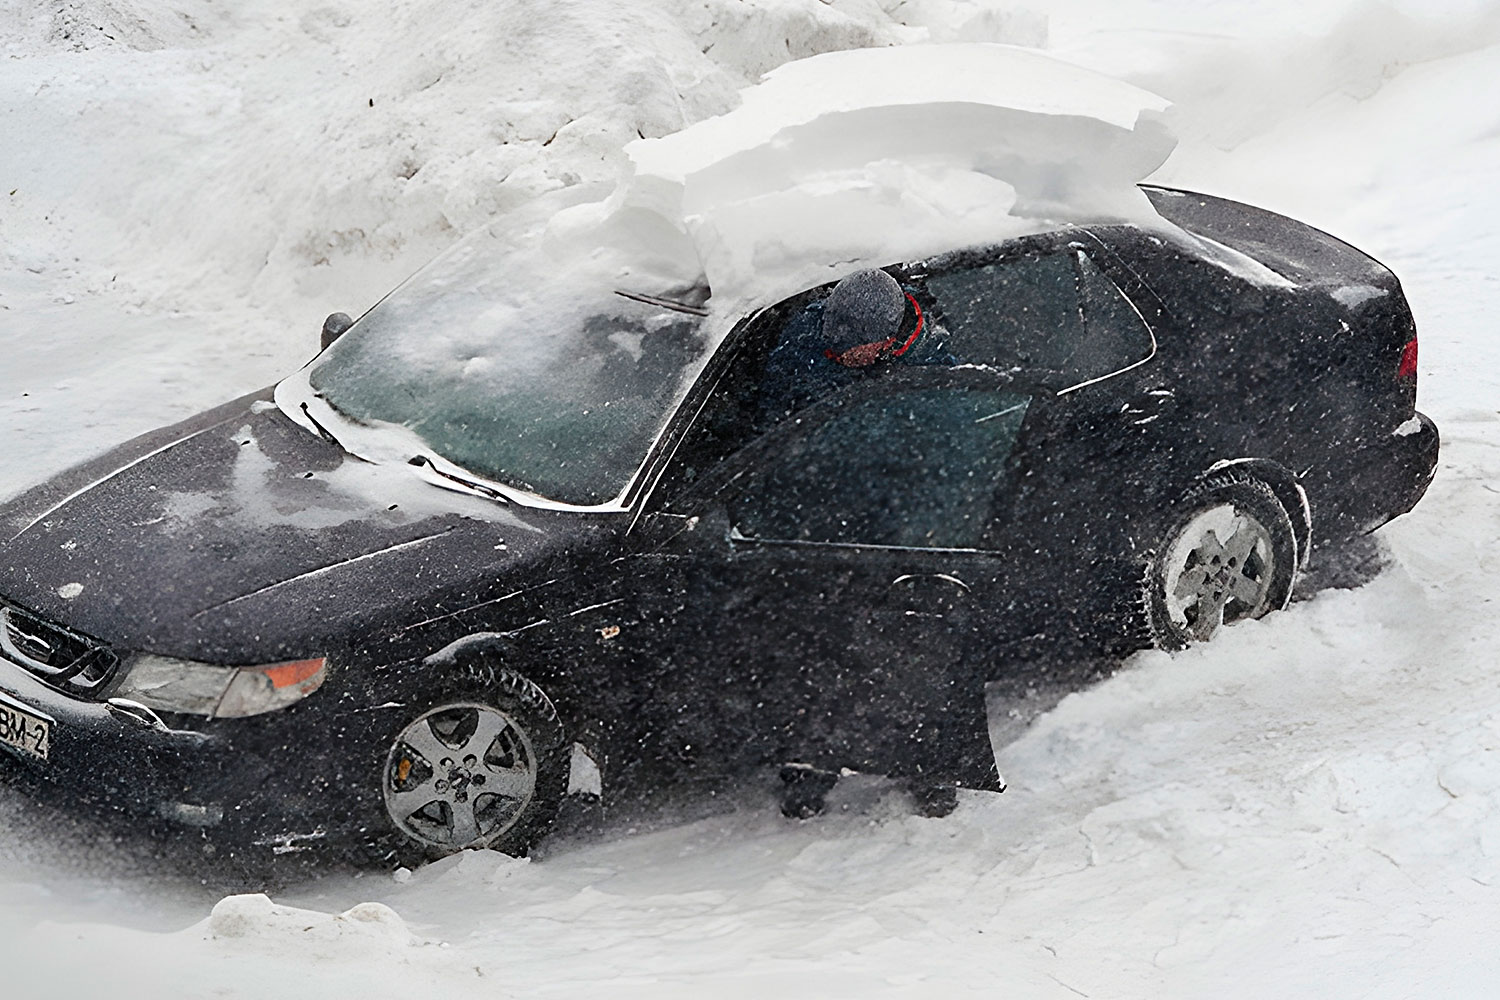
(203, 689)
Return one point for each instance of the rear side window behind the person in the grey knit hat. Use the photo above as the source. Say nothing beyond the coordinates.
(1052, 316)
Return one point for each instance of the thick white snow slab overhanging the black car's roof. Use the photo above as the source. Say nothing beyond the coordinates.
(890, 154)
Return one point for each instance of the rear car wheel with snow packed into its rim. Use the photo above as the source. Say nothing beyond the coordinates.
(1228, 554)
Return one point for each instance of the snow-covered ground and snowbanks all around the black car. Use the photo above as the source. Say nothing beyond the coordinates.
(1307, 807)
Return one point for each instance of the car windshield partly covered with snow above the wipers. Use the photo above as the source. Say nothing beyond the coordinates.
(545, 353)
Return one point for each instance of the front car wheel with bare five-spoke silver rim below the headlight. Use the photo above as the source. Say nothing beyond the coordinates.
(484, 765)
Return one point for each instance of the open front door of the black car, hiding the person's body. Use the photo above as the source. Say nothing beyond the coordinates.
(845, 555)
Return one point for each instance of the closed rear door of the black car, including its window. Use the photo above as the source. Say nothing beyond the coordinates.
(1049, 314)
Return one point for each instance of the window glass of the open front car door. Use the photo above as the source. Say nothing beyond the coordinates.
(914, 469)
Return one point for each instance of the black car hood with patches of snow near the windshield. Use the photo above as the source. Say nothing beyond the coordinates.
(247, 540)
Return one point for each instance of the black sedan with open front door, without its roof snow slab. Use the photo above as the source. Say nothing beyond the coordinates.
(403, 600)
